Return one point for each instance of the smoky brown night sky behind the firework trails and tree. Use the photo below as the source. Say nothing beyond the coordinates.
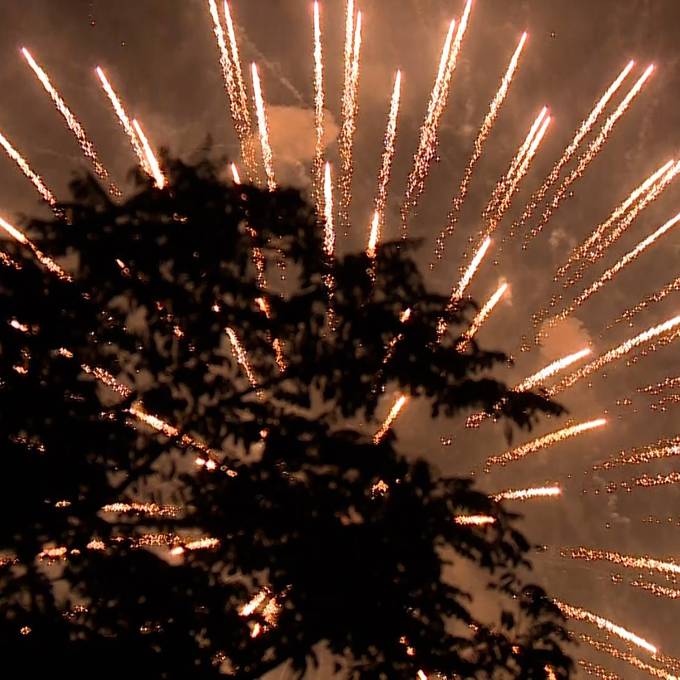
(162, 58)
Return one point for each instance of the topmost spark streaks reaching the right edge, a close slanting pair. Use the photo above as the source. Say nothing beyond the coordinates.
(591, 250)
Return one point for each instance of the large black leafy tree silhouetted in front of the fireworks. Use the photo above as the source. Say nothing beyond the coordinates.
(340, 545)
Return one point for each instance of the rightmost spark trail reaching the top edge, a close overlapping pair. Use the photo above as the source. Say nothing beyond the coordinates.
(427, 144)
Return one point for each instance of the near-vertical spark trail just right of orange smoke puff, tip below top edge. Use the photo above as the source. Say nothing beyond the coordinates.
(348, 130)
